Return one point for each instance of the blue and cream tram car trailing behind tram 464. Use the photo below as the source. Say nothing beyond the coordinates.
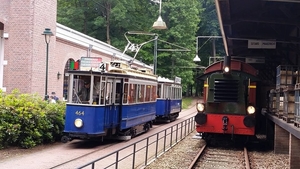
(169, 99)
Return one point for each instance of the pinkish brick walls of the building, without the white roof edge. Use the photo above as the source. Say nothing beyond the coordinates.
(25, 49)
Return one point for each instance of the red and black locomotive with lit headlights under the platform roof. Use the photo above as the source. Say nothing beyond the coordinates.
(229, 100)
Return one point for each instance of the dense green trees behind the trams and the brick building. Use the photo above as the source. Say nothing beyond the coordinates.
(108, 20)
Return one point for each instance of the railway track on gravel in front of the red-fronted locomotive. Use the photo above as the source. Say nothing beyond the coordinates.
(212, 158)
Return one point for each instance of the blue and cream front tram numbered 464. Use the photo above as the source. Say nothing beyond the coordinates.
(120, 102)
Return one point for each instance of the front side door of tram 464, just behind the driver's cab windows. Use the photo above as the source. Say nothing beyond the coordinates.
(113, 99)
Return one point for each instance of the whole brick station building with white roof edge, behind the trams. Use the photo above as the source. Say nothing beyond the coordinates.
(23, 50)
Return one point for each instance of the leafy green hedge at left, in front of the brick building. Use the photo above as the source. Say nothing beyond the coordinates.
(26, 120)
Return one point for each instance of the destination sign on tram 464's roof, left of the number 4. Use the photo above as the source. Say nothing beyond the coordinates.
(90, 63)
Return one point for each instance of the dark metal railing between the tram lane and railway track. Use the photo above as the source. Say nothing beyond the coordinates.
(143, 152)
